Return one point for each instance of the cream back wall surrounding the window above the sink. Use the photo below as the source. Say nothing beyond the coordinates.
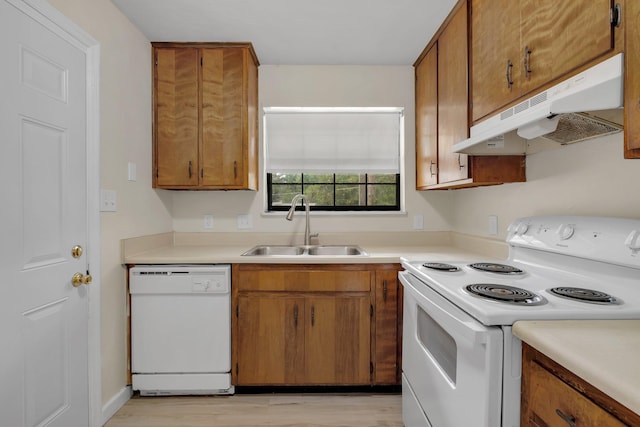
(298, 85)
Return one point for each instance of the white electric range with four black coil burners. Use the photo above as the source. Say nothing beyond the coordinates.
(461, 363)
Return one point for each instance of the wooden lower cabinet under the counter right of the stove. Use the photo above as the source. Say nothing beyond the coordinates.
(553, 396)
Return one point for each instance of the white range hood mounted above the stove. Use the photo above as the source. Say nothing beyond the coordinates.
(598, 88)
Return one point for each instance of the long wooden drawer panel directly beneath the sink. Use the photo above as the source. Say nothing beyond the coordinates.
(304, 280)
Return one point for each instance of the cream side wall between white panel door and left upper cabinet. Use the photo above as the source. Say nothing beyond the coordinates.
(125, 135)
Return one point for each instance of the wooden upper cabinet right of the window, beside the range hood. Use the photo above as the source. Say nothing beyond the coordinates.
(442, 116)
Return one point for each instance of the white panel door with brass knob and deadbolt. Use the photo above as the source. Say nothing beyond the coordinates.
(43, 215)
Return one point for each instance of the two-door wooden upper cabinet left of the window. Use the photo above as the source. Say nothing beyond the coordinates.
(205, 126)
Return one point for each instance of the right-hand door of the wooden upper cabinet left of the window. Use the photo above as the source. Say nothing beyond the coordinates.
(223, 103)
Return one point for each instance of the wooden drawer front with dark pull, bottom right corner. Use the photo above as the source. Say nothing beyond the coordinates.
(551, 399)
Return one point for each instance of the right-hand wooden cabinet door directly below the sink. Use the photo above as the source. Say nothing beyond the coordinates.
(338, 348)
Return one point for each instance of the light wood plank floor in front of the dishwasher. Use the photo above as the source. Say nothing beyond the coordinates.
(283, 410)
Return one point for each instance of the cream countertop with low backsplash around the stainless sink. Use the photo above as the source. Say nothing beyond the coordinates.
(201, 248)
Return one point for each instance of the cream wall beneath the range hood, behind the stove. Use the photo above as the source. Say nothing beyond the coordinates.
(586, 178)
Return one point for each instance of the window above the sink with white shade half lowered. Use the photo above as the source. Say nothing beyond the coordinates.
(342, 159)
